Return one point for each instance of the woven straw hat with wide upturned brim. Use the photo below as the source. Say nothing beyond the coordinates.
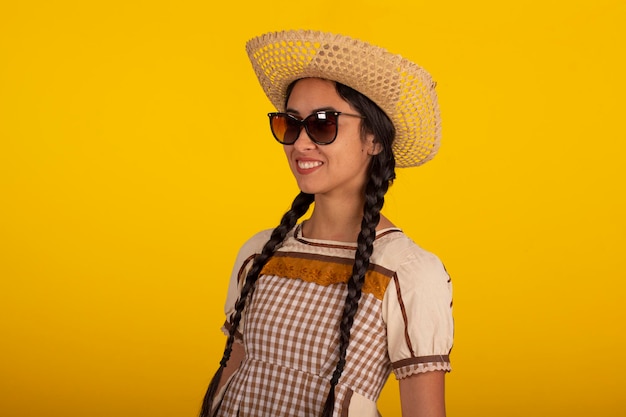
(405, 91)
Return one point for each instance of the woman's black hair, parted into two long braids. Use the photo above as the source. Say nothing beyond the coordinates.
(381, 175)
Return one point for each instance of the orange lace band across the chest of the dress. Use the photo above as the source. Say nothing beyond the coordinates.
(325, 271)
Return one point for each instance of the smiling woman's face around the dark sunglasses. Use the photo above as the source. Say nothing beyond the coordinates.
(340, 168)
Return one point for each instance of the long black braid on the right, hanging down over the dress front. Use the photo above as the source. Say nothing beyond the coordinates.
(375, 190)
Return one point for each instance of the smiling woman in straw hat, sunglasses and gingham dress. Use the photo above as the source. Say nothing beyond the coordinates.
(321, 311)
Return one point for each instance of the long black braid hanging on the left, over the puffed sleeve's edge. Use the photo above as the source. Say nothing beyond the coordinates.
(299, 207)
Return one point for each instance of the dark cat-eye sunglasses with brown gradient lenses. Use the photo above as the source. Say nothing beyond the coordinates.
(321, 126)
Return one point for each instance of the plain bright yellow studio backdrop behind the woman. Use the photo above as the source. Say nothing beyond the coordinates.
(135, 159)
